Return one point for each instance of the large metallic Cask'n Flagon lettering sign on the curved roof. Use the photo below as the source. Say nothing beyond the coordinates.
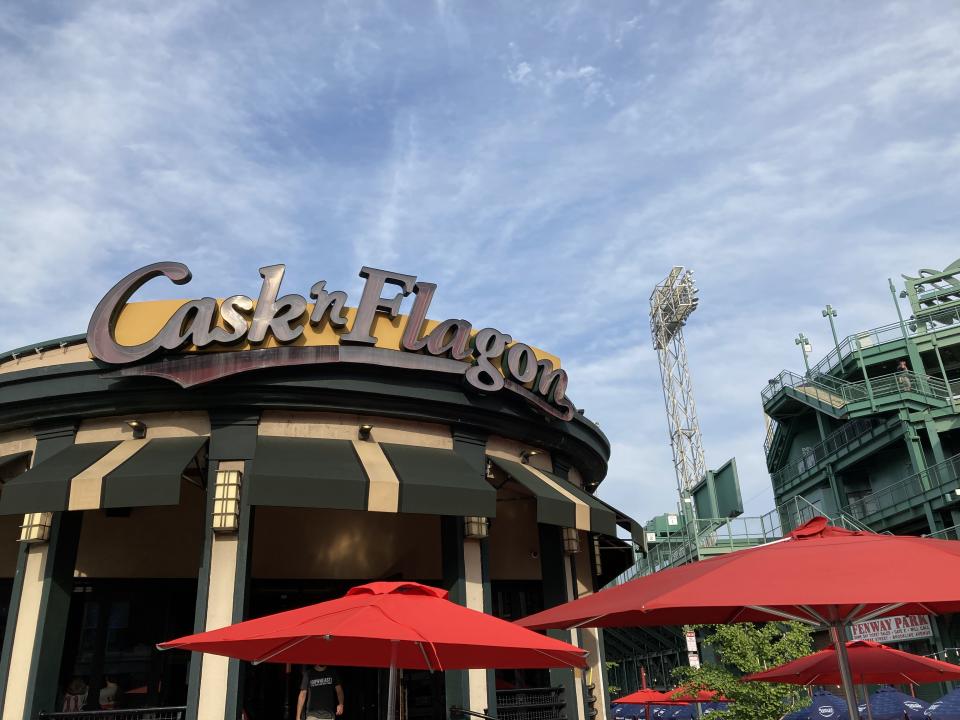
(488, 359)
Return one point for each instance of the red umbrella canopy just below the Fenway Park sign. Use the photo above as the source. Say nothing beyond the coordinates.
(870, 662)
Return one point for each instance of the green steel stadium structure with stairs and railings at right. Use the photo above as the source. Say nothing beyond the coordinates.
(871, 432)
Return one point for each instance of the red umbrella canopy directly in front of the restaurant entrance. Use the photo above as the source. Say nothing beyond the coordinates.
(386, 624)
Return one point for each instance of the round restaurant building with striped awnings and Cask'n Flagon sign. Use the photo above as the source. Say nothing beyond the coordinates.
(188, 464)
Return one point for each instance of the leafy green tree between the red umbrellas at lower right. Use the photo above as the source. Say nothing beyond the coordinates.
(747, 648)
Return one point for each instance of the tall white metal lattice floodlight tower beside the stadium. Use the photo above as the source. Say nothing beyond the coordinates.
(671, 304)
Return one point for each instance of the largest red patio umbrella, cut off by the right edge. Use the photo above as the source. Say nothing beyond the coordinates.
(820, 575)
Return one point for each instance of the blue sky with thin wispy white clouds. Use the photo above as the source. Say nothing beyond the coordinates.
(545, 163)
